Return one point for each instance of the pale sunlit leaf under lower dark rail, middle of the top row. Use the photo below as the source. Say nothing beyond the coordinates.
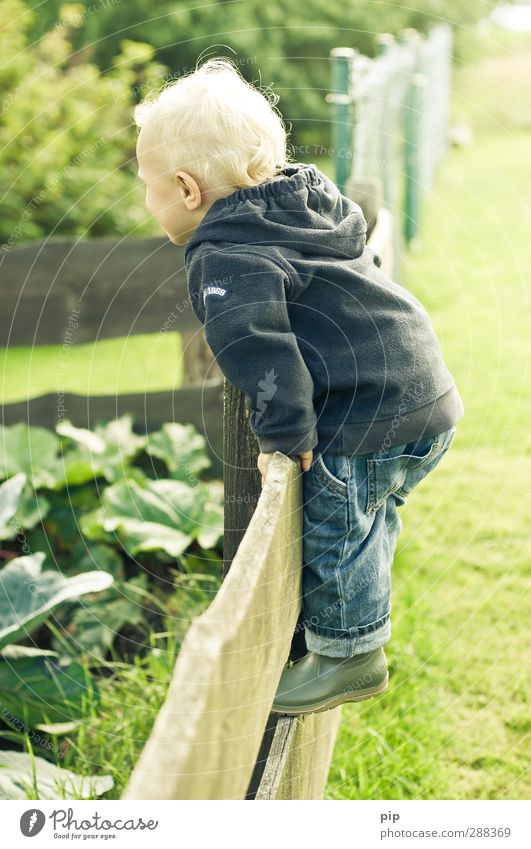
(106, 451)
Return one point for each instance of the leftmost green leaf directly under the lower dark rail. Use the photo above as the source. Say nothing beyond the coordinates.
(33, 451)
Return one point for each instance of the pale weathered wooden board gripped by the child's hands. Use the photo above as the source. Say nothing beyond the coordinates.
(206, 738)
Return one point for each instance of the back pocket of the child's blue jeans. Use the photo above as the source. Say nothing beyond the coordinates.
(403, 468)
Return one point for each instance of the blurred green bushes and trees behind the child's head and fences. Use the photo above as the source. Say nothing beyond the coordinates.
(71, 74)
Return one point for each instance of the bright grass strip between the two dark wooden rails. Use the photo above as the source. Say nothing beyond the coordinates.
(144, 363)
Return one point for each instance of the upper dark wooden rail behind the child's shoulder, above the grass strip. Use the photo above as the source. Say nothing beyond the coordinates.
(113, 288)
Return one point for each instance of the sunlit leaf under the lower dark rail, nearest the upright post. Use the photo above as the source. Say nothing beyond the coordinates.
(182, 448)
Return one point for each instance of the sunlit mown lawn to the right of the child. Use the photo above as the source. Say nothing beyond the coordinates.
(455, 721)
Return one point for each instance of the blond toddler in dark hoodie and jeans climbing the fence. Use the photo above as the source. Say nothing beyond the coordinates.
(340, 365)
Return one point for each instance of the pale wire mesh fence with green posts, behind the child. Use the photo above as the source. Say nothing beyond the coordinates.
(390, 118)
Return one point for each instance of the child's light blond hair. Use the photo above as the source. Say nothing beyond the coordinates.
(220, 127)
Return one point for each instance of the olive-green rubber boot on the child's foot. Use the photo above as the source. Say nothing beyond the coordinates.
(316, 682)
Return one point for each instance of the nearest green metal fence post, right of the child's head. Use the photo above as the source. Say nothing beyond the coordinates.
(340, 98)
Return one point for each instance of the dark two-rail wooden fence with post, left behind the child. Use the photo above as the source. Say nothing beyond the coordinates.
(69, 292)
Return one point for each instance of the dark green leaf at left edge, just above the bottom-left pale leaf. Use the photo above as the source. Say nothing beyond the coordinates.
(36, 687)
